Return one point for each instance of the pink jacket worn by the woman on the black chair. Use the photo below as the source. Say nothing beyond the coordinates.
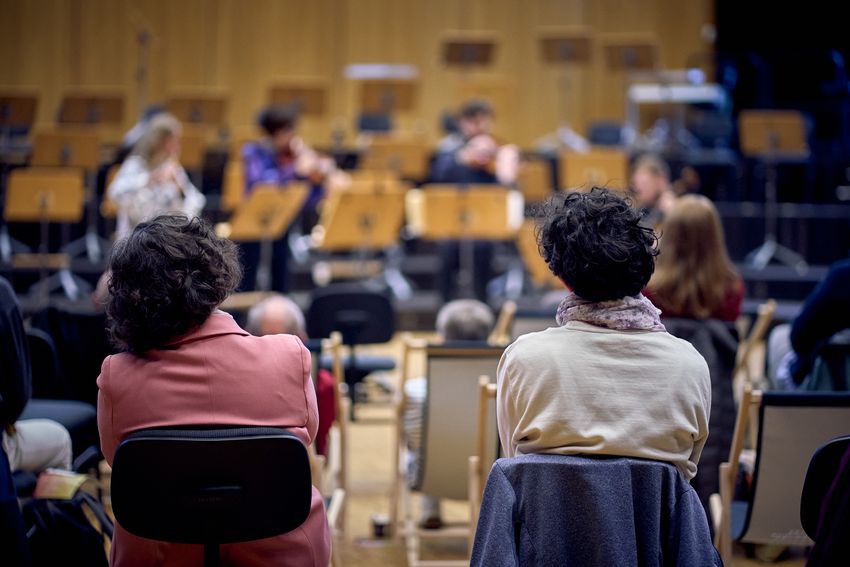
(216, 375)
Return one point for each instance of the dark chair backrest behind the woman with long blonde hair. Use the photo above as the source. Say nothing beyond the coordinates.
(717, 342)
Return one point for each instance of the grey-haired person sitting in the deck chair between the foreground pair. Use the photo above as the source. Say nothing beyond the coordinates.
(459, 320)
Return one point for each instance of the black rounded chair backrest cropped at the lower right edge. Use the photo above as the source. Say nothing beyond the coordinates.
(824, 467)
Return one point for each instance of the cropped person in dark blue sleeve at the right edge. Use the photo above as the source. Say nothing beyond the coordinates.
(792, 349)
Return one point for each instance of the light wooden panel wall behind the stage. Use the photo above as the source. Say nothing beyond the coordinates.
(239, 47)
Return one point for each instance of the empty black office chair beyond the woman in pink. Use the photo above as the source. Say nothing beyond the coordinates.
(363, 315)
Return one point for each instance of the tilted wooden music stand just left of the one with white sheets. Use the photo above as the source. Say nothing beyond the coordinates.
(366, 218)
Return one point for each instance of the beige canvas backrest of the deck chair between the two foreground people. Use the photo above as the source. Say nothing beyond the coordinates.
(450, 425)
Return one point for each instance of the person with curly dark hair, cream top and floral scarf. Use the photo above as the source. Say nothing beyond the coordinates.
(609, 380)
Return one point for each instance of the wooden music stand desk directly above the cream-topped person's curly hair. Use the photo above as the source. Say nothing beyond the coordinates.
(599, 167)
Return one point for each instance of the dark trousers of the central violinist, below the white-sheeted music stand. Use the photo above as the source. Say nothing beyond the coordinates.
(455, 260)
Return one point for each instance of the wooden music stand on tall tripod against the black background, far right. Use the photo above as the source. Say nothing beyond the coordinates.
(773, 137)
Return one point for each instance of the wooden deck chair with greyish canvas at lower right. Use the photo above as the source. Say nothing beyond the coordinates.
(790, 427)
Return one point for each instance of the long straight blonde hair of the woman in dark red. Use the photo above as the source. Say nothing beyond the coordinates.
(693, 271)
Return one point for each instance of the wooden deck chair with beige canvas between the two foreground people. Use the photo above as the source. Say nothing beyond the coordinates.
(449, 436)
